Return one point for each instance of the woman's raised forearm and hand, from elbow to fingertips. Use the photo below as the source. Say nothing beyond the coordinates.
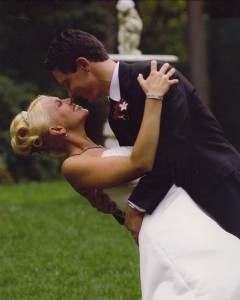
(145, 147)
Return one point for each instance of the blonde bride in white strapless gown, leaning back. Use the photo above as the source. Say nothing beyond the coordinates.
(184, 254)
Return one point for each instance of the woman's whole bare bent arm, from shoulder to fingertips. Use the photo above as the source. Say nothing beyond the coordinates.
(91, 171)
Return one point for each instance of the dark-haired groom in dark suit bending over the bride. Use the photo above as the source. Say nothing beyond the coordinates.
(193, 151)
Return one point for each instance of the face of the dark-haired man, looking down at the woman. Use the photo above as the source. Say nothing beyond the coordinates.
(80, 83)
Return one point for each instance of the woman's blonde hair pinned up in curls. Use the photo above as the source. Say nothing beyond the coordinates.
(32, 135)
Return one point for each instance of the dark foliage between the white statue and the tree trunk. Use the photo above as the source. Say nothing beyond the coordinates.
(164, 30)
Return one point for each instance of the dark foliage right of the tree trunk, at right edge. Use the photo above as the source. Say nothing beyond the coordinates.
(224, 49)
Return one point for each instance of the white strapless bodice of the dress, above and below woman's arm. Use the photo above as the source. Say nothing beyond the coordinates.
(120, 193)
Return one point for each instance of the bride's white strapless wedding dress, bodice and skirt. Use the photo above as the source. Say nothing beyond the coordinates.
(184, 254)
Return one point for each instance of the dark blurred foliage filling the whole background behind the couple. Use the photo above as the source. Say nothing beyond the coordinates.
(28, 26)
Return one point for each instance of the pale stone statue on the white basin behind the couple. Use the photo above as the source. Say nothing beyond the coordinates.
(130, 28)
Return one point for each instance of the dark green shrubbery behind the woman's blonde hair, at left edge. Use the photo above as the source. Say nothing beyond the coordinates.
(13, 99)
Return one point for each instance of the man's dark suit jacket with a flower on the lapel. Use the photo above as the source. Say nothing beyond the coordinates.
(193, 151)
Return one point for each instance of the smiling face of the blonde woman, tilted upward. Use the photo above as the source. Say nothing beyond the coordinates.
(64, 112)
